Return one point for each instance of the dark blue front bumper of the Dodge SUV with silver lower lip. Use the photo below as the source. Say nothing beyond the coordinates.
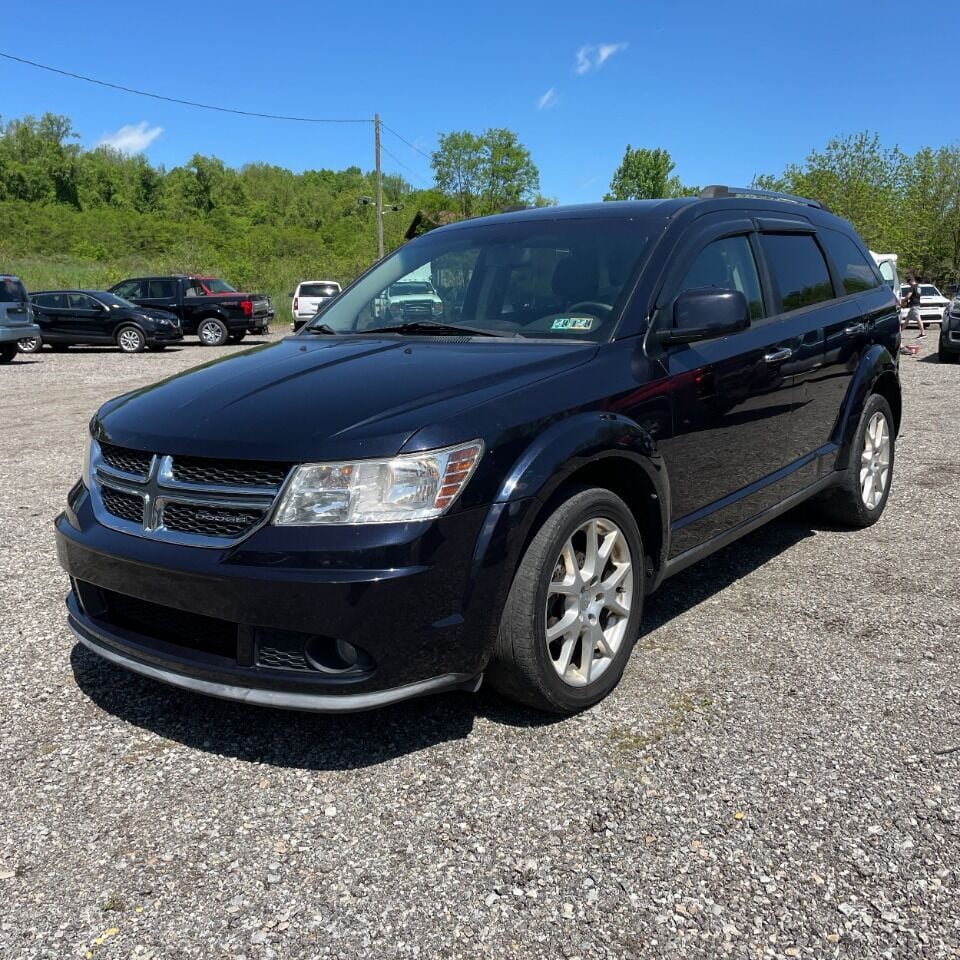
(246, 623)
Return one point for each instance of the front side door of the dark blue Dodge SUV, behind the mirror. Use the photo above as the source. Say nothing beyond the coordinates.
(731, 441)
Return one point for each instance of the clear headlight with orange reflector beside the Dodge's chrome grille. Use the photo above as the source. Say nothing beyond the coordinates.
(416, 486)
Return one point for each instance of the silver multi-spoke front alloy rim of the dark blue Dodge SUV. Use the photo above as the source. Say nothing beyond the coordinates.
(589, 601)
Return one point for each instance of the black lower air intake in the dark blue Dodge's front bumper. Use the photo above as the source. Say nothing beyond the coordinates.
(192, 630)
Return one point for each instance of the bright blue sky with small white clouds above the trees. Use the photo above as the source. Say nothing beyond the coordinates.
(730, 90)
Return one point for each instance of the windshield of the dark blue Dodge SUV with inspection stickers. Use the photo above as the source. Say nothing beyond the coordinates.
(539, 279)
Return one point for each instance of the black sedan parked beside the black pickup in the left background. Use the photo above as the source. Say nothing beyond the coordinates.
(88, 317)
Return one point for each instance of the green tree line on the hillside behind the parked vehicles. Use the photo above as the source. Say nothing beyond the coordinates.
(71, 216)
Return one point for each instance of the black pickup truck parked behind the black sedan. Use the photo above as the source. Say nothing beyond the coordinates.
(206, 306)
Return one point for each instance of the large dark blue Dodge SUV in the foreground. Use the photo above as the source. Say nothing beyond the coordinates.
(626, 388)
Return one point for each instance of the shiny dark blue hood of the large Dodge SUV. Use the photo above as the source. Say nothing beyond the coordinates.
(315, 398)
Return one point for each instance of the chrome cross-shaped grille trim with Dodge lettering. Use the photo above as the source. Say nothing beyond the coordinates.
(159, 487)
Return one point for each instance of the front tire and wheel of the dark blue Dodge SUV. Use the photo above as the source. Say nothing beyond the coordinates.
(528, 666)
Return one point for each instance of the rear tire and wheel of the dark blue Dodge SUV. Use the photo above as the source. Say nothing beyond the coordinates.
(853, 503)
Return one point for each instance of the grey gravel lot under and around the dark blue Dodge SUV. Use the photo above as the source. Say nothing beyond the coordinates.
(776, 776)
